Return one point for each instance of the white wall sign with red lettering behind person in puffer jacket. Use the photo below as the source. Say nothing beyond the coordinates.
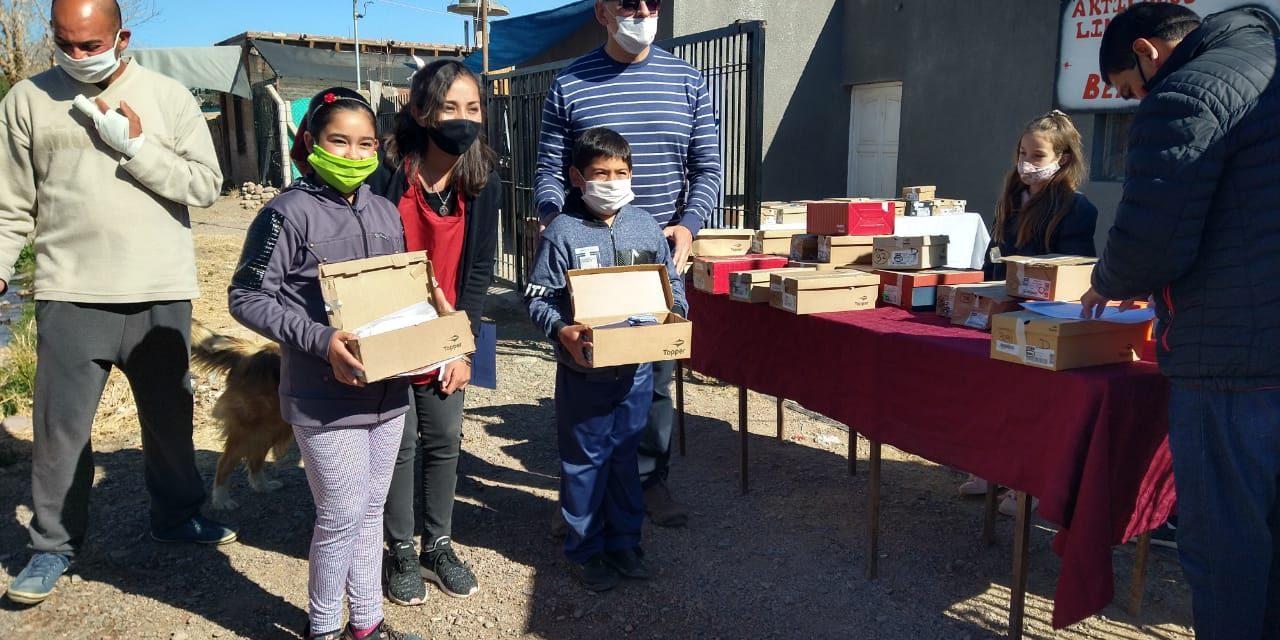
(1080, 85)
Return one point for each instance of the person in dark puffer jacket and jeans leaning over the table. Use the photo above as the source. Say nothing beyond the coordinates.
(1199, 228)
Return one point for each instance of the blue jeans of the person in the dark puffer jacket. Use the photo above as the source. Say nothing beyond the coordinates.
(1227, 467)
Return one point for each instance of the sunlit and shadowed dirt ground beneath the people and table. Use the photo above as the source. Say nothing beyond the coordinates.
(785, 561)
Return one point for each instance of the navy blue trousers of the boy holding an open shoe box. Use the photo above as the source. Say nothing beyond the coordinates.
(600, 418)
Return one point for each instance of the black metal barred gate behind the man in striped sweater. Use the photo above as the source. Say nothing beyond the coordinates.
(732, 61)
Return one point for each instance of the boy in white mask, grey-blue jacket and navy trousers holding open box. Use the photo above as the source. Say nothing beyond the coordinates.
(600, 413)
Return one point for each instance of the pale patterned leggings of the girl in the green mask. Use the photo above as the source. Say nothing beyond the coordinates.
(349, 472)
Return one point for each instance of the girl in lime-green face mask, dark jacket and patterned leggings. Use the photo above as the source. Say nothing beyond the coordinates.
(348, 431)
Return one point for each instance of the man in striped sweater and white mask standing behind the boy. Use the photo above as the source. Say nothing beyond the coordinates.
(661, 106)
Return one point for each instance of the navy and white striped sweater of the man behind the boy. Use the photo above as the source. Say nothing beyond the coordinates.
(662, 108)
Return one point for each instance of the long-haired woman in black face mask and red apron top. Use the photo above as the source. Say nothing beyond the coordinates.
(440, 173)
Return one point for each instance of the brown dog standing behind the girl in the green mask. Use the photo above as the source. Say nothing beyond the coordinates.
(249, 410)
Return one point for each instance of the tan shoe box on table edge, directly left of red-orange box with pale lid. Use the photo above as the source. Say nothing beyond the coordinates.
(824, 292)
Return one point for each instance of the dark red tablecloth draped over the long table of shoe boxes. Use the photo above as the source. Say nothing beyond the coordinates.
(1090, 444)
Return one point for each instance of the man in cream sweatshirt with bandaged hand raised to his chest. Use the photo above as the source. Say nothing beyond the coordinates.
(102, 159)
